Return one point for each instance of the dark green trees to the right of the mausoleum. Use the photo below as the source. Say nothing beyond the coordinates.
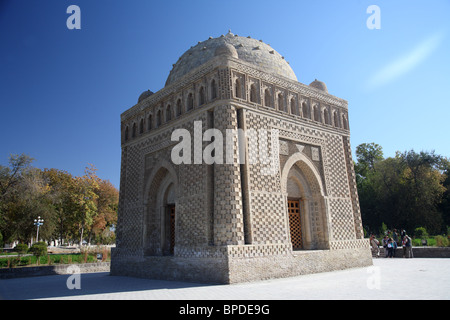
(405, 192)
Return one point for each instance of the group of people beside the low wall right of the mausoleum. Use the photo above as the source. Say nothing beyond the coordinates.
(391, 243)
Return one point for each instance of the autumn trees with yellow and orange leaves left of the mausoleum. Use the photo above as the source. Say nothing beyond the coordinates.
(74, 208)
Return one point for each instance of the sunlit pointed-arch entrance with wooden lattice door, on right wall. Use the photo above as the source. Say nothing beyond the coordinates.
(306, 204)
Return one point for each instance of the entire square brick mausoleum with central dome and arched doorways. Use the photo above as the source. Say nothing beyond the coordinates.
(244, 219)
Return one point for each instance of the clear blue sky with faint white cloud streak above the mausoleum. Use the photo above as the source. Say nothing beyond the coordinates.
(62, 91)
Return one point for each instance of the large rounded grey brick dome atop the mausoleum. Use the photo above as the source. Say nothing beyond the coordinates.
(247, 49)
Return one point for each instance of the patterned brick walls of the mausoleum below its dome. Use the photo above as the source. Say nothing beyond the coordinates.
(209, 201)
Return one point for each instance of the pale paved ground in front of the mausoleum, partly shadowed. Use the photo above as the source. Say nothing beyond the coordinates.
(400, 278)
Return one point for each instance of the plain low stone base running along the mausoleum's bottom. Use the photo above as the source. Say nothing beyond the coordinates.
(228, 270)
